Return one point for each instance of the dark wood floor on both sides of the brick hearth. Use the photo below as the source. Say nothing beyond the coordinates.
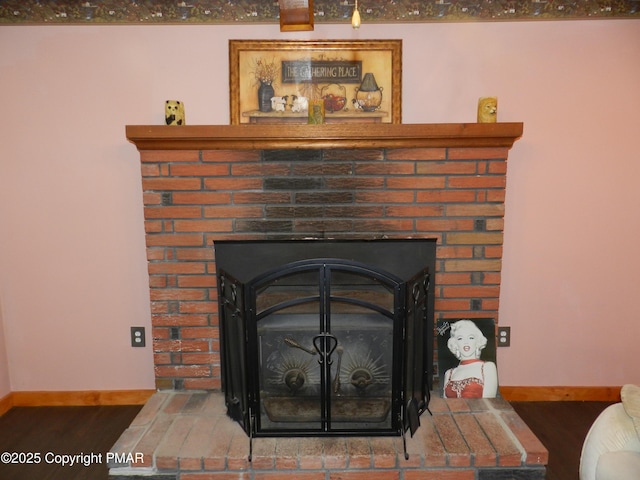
(50, 431)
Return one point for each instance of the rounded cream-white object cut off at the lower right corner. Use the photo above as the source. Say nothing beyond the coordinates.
(611, 450)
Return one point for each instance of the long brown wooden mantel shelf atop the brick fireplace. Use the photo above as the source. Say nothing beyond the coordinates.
(259, 137)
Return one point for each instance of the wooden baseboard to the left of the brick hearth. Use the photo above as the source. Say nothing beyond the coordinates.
(79, 398)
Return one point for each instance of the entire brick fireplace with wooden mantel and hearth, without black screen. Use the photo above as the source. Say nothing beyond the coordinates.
(204, 184)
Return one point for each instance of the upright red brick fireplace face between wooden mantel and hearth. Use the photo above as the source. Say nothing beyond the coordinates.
(193, 198)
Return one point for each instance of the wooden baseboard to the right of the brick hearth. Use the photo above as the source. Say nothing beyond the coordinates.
(546, 394)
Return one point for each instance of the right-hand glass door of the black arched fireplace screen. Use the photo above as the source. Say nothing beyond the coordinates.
(361, 317)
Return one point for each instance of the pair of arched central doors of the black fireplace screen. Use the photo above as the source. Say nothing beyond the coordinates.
(327, 334)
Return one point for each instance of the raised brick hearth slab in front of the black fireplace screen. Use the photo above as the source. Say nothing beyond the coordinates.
(187, 436)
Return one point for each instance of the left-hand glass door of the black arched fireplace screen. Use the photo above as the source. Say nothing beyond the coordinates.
(288, 314)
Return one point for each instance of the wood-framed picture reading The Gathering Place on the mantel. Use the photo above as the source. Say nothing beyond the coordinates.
(298, 81)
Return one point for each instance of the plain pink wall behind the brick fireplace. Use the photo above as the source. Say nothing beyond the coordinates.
(73, 270)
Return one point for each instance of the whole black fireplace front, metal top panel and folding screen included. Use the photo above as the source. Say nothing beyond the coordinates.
(326, 337)
